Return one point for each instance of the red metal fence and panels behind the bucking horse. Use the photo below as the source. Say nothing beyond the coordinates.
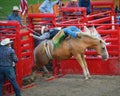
(105, 24)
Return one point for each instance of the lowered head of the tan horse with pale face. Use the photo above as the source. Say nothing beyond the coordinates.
(101, 49)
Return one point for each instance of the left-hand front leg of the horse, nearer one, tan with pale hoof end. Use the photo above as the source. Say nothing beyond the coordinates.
(81, 62)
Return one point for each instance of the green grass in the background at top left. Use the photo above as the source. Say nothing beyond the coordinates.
(7, 6)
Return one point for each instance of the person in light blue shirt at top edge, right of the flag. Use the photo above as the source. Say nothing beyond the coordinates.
(47, 6)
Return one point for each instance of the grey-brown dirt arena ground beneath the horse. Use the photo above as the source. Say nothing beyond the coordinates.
(75, 85)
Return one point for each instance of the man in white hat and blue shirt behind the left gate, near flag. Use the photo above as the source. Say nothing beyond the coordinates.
(15, 15)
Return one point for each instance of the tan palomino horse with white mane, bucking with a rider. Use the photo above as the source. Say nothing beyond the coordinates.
(71, 47)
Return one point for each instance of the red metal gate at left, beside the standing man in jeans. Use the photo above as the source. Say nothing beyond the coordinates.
(23, 45)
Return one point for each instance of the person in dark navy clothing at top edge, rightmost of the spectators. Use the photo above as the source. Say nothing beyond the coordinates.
(85, 3)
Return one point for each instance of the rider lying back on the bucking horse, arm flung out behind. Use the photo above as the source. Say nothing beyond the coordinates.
(63, 33)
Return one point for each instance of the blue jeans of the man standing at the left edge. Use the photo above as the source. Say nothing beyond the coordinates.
(9, 73)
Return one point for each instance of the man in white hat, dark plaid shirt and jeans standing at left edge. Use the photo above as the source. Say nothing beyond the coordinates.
(7, 71)
